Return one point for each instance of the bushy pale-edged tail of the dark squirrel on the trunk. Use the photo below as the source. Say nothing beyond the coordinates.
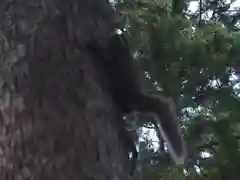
(167, 123)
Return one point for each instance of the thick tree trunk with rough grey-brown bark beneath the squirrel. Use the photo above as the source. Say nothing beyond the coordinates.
(58, 121)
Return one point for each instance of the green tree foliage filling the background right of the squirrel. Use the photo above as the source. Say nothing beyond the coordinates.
(192, 62)
